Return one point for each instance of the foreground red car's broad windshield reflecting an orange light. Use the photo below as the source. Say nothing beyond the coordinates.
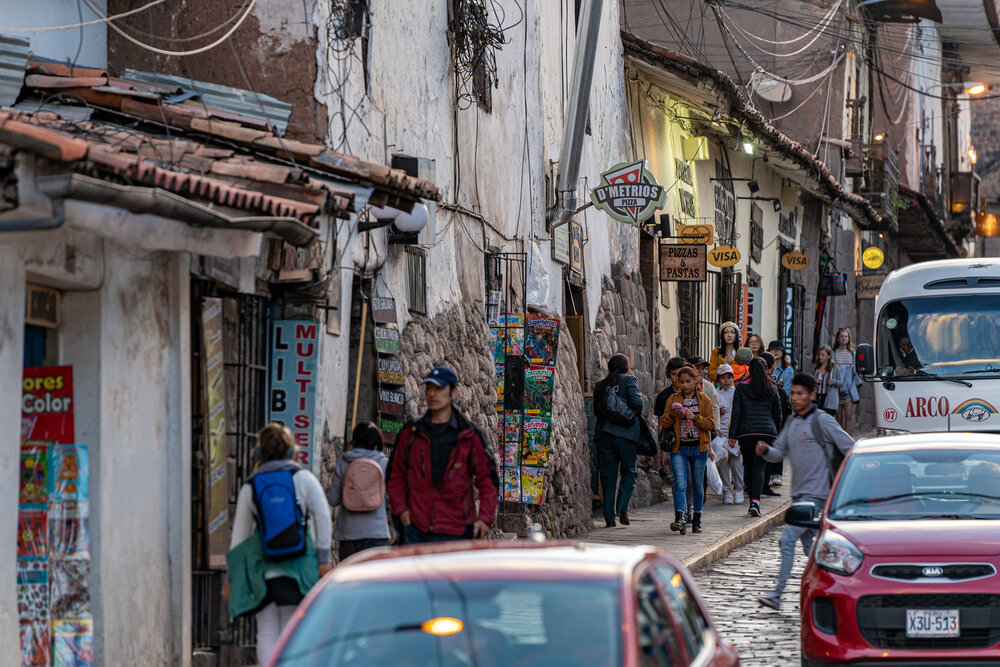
(569, 622)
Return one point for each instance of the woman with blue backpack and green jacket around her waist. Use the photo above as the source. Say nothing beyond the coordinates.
(280, 545)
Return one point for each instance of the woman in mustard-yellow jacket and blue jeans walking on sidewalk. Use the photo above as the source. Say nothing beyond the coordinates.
(689, 413)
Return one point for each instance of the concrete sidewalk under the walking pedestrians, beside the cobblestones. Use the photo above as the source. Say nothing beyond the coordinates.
(725, 527)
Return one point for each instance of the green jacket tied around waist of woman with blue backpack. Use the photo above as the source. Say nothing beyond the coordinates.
(248, 564)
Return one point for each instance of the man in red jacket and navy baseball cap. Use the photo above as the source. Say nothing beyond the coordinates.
(439, 459)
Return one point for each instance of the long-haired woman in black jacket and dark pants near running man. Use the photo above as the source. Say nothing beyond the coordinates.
(756, 416)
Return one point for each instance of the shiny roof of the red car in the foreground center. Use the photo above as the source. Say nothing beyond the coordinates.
(540, 560)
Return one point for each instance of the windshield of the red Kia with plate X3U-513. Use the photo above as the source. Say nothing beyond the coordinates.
(919, 484)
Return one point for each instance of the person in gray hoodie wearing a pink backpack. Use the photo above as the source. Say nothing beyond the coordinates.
(358, 489)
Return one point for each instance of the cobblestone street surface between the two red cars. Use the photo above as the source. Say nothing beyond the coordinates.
(763, 637)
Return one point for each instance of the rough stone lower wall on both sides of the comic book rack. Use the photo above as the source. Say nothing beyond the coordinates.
(459, 337)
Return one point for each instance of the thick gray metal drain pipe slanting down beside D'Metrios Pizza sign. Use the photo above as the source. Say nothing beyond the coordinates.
(576, 119)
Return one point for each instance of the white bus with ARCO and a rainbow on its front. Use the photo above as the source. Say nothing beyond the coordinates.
(935, 362)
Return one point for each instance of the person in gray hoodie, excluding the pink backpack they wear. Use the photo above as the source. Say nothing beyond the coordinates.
(357, 531)
